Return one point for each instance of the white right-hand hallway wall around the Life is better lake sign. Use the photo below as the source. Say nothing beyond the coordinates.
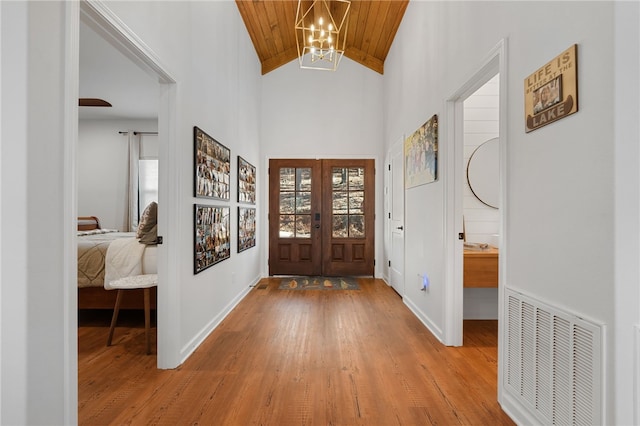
(560, 190)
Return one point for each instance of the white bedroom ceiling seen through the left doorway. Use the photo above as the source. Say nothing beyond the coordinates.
(108, 74)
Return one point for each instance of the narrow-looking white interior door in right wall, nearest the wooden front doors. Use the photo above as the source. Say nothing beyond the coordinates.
(396, 218)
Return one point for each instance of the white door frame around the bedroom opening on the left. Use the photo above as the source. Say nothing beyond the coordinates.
(111, 27)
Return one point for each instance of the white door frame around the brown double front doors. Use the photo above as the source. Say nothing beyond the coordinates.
(378, 209)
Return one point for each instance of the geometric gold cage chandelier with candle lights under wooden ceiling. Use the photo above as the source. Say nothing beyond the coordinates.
(321, 32)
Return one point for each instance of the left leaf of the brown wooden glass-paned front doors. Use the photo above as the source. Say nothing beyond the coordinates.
(295, 217)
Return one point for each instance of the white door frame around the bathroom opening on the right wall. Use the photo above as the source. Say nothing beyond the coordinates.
(494, 63)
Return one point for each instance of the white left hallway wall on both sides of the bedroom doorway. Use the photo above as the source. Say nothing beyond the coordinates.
(208, 51)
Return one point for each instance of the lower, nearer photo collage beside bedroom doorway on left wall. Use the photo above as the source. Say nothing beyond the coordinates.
(212, 243)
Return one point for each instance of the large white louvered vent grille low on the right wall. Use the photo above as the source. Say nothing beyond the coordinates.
(553, 362)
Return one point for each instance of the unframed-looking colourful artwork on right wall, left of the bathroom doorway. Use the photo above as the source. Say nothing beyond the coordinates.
(421, 155)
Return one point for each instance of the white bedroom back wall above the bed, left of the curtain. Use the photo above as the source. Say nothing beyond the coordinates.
(103, 167)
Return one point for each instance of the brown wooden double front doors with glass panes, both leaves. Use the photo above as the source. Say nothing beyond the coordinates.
(321, 217)
